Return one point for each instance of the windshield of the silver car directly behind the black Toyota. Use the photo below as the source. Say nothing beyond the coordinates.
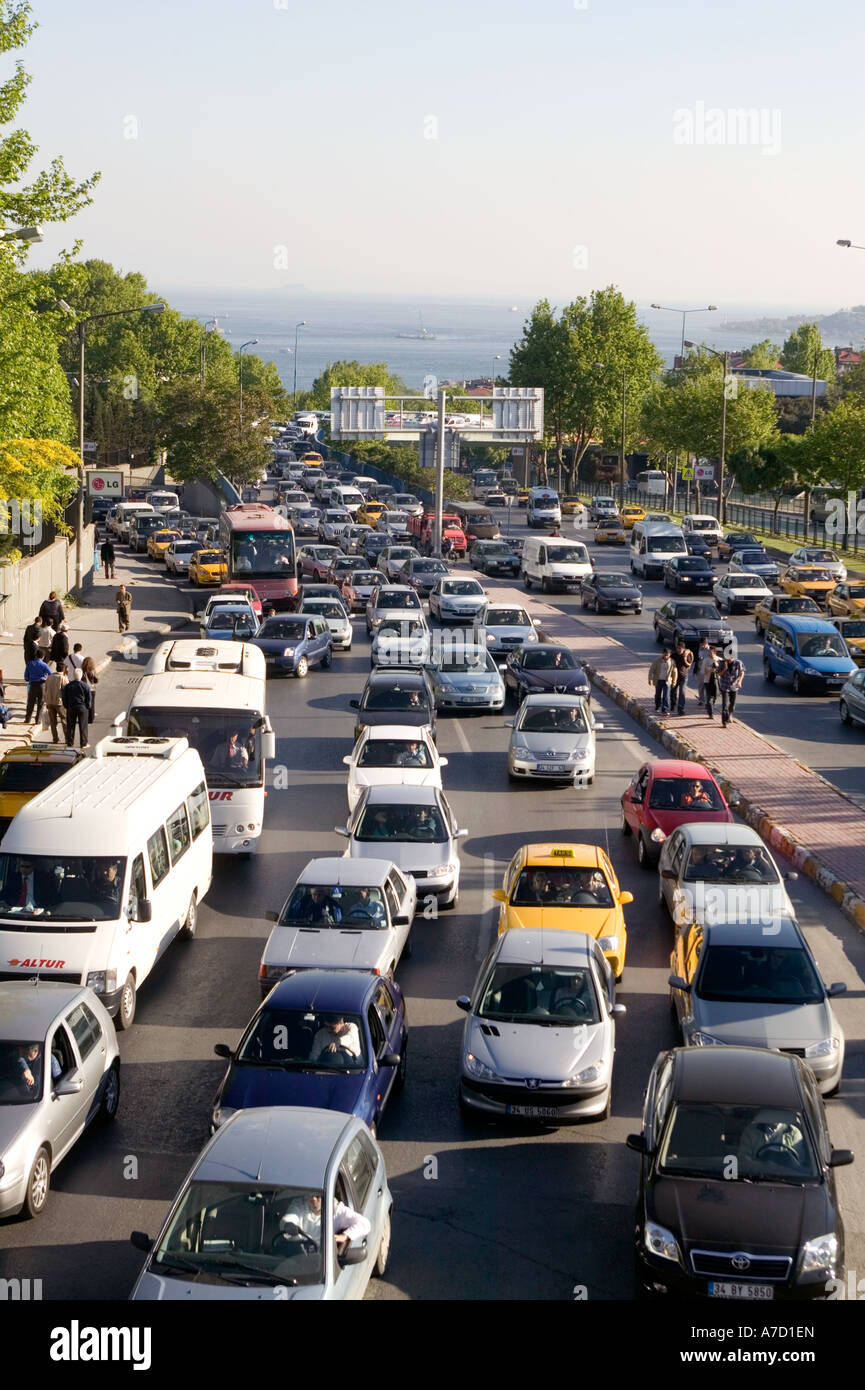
(759, 975)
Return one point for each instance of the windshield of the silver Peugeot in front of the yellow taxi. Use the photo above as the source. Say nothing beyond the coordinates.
(540, 995)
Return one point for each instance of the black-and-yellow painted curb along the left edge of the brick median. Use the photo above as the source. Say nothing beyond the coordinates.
(805, 860)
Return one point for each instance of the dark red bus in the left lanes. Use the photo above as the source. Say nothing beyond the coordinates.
(259, 547)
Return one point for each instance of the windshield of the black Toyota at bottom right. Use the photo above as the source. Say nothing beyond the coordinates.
(768, 1145)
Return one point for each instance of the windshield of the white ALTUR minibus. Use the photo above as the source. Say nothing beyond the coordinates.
(60, 889)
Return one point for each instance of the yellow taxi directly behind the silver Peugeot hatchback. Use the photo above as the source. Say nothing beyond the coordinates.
(568, 889)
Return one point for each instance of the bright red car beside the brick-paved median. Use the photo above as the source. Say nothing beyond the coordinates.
(667, 794)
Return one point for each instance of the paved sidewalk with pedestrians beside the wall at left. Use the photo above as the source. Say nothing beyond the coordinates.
(158, 610)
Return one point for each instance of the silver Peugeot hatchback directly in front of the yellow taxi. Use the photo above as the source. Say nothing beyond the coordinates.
(543, 1003)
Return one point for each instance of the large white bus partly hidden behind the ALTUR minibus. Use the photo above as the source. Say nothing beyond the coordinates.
(222, 712)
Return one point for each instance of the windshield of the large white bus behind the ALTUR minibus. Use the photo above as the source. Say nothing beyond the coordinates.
(229, 742)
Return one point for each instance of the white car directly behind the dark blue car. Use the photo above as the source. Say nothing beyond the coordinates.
(343, 914)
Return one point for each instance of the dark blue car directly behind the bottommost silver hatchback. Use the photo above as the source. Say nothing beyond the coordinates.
(334, 1040)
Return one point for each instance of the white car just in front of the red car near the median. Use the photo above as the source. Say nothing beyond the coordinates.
(721, 874)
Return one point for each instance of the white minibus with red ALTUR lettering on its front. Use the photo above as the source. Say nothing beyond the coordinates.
(105, 868)
